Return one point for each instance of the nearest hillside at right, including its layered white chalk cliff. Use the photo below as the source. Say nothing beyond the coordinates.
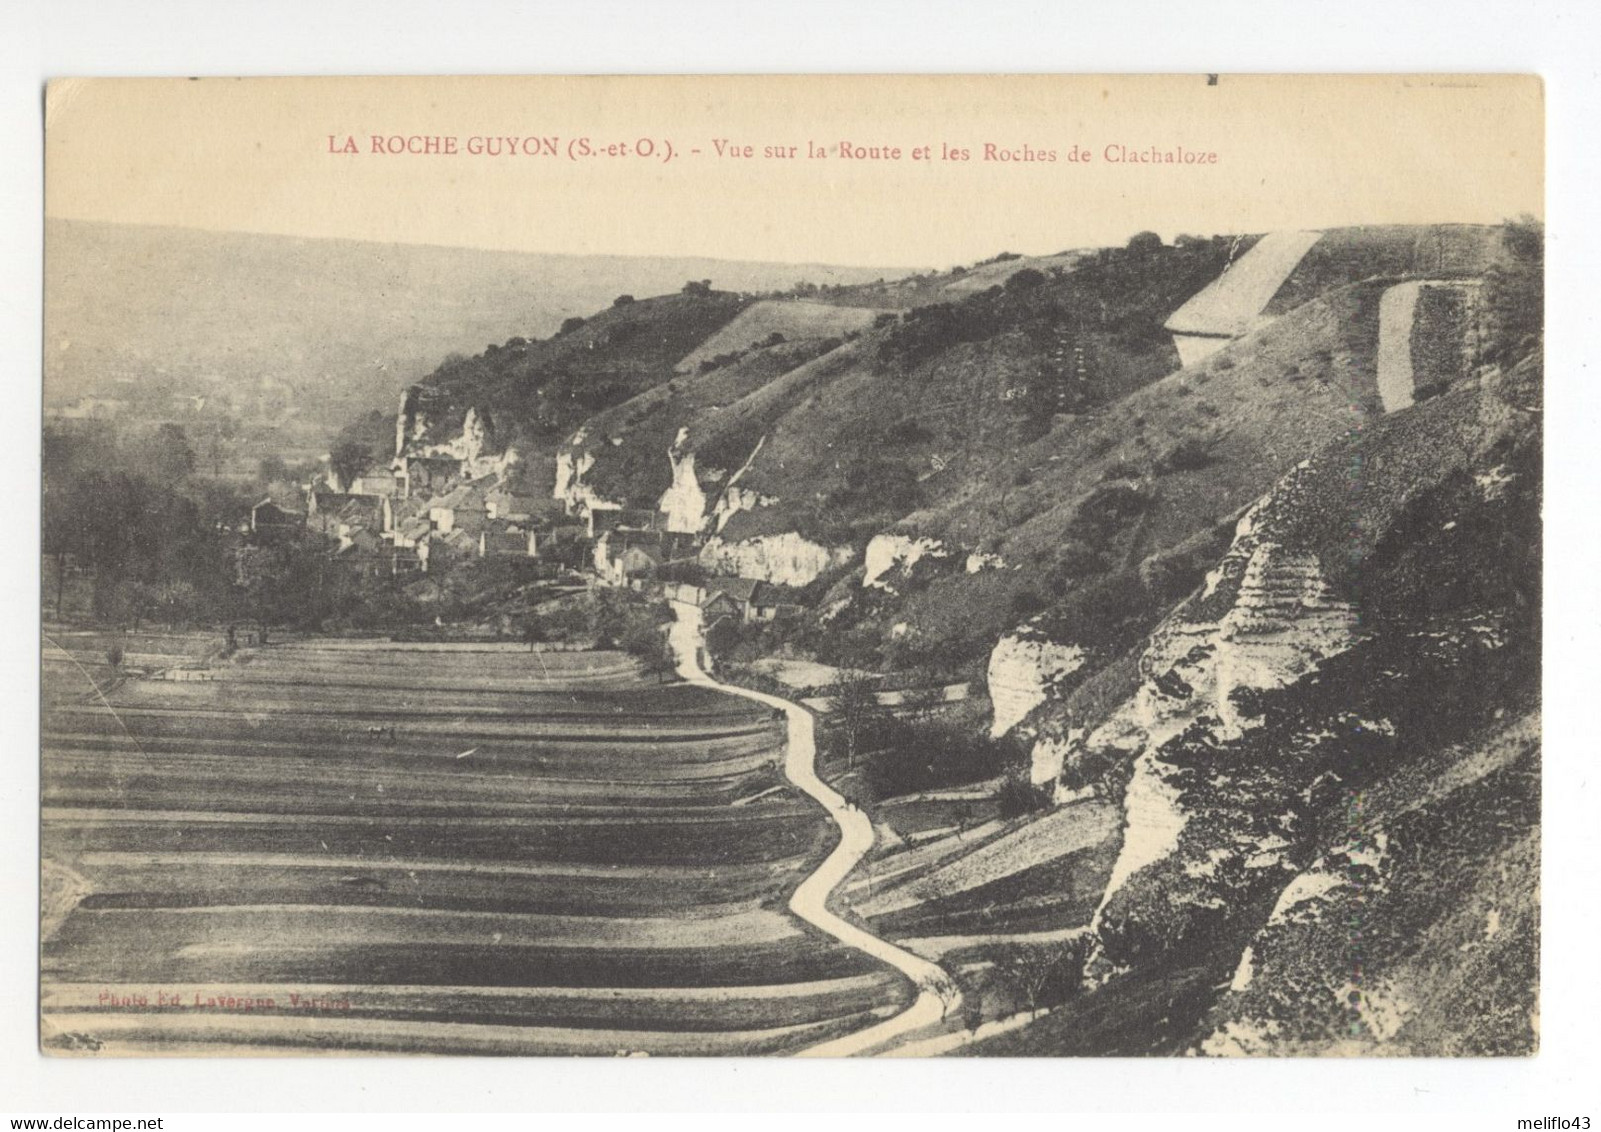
(1342, 728)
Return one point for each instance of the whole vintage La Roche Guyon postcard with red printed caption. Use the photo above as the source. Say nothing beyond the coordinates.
(973, 568)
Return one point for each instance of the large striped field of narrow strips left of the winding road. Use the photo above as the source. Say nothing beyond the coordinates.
(369, 846)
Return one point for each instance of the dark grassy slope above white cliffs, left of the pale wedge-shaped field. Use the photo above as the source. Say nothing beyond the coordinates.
(947, 393)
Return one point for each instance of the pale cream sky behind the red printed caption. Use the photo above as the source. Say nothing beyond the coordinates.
(268, 156)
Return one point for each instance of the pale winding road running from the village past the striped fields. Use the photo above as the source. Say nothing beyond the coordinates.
(937, 992)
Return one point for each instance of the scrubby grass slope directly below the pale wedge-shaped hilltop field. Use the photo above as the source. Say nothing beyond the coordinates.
(1259, 406)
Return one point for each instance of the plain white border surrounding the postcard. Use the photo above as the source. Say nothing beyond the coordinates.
(1559, 41)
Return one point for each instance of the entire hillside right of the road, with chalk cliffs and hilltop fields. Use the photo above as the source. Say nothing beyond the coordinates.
(1195, 654)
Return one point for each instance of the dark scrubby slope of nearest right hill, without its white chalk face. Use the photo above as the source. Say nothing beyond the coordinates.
(1427, 825)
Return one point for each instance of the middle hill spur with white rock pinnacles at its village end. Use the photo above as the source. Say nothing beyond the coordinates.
(981, 374)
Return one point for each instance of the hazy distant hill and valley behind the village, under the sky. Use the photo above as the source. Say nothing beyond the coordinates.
(342, 323)
